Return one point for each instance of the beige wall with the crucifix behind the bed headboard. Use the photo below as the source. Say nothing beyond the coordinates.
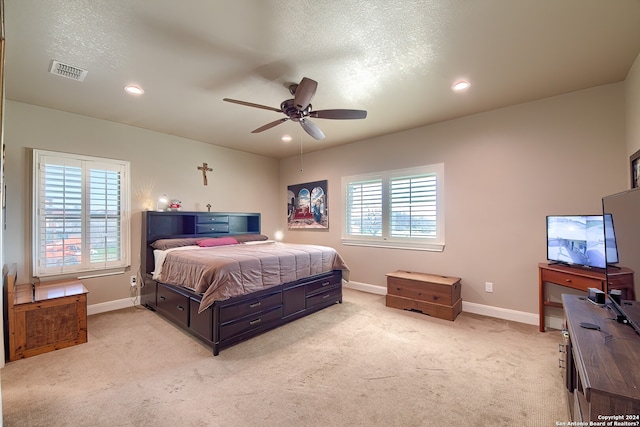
(160, 163)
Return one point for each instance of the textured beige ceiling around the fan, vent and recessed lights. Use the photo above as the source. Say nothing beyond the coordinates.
(395, 59)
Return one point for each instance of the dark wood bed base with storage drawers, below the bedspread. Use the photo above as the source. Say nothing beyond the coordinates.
(231, 321)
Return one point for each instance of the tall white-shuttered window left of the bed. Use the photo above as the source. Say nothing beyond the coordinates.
(81, 211)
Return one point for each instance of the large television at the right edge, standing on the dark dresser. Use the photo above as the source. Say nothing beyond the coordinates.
(624, 209)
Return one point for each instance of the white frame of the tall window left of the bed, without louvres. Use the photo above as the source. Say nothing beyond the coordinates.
(86, 266)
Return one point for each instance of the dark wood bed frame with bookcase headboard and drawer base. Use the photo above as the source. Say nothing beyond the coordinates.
(231, 321)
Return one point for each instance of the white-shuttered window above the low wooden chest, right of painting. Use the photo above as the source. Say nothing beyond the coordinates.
(400, 208)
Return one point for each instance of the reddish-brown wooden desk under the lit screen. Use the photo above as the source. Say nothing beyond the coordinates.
(580, 279)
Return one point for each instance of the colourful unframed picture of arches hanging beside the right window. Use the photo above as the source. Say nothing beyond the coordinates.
(307, 206)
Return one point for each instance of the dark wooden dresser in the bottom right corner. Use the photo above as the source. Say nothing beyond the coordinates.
(601, 366)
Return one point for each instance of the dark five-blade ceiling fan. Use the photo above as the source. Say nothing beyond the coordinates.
(298, 109)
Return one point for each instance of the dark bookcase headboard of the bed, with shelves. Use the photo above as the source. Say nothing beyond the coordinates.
(179, 224)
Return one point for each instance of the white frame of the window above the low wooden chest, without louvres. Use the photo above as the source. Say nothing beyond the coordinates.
(385, 239)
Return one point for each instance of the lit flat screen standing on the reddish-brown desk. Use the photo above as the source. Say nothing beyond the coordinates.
(580, 240)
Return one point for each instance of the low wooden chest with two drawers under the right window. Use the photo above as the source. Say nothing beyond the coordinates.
(437, 296)
